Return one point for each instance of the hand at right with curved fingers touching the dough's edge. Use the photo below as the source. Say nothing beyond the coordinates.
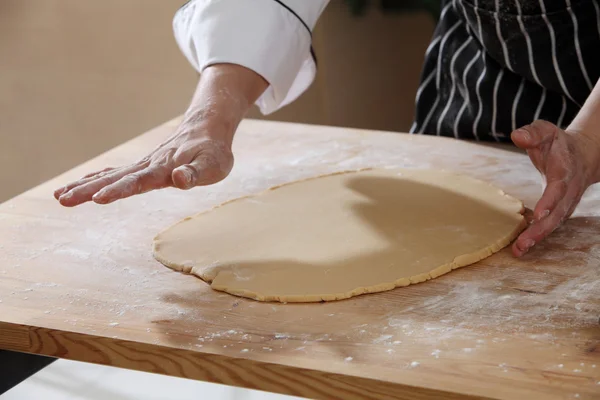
(569, 163)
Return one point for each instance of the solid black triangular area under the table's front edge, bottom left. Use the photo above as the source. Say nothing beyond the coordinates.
(16, 367)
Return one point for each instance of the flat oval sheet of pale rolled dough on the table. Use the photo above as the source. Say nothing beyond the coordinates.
(342, 235)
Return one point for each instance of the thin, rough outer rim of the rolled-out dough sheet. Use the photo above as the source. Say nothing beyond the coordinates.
(458, 262)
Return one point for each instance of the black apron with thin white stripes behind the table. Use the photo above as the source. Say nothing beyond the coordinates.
(496, 65)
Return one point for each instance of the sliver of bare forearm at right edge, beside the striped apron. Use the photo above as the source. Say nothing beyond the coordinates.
(587, 125)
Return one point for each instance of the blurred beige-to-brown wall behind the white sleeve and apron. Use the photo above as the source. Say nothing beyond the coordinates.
(79, 77)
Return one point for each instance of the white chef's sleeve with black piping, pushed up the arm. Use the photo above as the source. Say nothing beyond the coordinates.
(270, 37)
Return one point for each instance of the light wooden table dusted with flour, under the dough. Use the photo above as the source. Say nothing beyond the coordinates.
(82, 284)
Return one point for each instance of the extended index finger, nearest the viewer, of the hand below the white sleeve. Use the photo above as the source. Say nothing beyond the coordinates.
(135, 183)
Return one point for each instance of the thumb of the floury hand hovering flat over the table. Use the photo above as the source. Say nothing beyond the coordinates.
(205, 169)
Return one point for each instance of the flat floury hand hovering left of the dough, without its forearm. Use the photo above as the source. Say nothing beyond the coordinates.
(189, 158)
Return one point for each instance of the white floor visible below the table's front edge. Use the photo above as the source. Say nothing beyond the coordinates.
(69, 380)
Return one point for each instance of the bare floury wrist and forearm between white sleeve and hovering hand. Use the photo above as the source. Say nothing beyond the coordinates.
(223, 96)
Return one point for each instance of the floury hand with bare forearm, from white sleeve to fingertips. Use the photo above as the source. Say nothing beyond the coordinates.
(199, 153)
